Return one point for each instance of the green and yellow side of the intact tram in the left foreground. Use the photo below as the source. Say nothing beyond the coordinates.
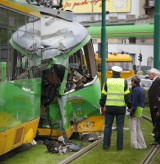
(19, 88)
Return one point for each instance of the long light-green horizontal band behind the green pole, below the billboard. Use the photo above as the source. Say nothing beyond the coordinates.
(143, 30)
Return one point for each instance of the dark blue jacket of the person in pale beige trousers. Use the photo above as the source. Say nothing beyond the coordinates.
(137, 97)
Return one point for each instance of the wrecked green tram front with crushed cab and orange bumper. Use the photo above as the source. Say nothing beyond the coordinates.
(70, 87)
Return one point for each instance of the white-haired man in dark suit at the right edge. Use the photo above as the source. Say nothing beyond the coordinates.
(153, 94)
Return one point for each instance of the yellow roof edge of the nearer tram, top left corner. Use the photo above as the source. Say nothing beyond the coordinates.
(21, 6)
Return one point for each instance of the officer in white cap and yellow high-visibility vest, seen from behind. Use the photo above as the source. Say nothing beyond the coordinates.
(114, 98)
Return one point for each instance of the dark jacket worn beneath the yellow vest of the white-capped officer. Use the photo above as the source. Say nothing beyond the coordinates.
(116, 109)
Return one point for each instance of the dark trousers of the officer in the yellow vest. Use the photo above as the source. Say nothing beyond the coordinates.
(109, 118)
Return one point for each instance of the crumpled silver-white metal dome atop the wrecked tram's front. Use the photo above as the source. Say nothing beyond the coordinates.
(57, 36)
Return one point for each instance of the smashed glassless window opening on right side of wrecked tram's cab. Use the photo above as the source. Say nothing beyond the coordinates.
(82, 68)
